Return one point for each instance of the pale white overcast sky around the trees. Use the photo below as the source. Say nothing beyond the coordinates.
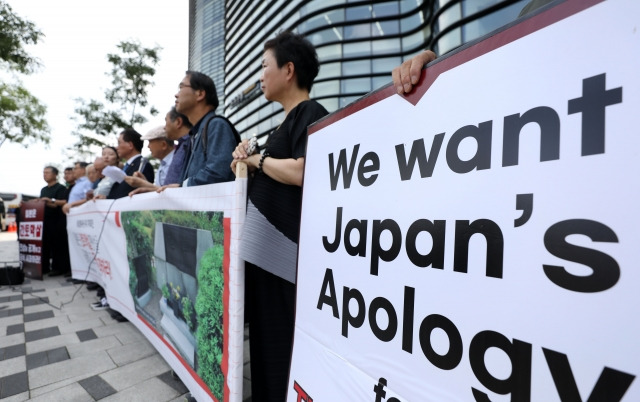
(79, 34)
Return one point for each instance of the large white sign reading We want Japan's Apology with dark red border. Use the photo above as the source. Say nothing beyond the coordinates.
(478, 240)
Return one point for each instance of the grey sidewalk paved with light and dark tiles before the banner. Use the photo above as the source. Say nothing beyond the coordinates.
(54, 347)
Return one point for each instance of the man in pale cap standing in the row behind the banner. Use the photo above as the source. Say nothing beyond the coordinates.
(162, 148)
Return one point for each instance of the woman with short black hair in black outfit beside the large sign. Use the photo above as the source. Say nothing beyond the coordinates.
(269, 239)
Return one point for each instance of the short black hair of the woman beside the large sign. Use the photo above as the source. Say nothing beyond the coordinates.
(290, 47)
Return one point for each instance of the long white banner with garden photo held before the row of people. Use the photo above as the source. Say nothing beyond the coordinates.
(169, 263)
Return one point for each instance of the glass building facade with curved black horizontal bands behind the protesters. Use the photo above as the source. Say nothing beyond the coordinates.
(358, 44)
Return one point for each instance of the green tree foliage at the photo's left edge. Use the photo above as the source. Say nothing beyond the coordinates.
(22, 116)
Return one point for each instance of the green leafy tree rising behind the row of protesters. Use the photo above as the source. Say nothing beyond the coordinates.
(98, 123)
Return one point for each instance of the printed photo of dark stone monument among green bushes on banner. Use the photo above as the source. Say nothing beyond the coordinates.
(177, 283)
